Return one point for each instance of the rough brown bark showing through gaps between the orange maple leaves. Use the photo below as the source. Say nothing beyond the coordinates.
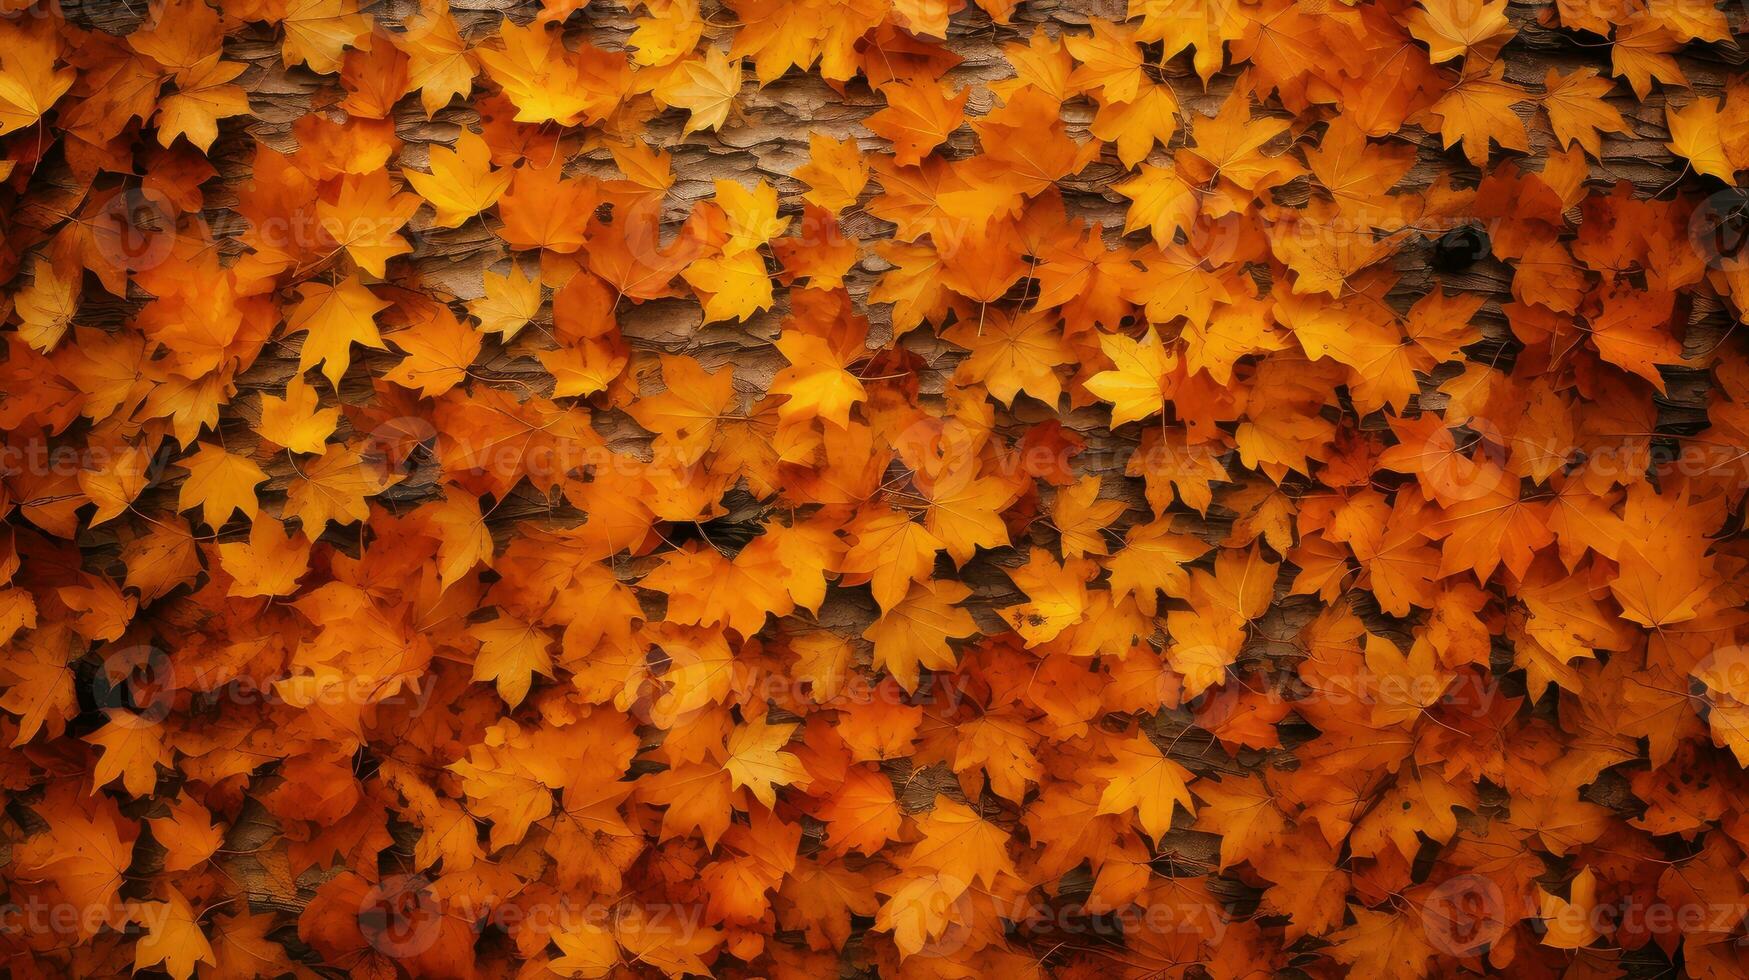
(769, 139)
